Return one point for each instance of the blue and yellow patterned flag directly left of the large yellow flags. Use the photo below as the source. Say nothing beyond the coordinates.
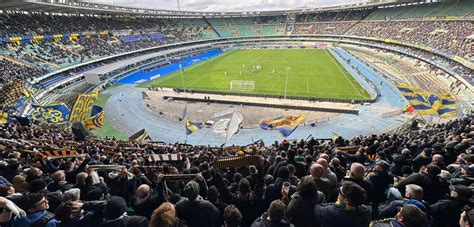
(55, 114)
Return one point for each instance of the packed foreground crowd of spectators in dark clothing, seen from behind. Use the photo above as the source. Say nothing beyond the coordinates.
(422, 177)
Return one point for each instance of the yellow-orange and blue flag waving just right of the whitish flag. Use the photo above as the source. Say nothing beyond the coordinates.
(285, 125)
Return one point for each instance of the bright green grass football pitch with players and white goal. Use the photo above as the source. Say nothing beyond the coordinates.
(313, 73)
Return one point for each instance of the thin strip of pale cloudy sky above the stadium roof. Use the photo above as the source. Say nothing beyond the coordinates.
(226, 5)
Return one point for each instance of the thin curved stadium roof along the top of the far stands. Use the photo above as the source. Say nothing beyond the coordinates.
(76, 7)
